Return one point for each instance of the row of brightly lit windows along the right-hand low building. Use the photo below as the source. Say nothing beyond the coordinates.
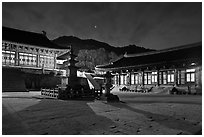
(165, 77)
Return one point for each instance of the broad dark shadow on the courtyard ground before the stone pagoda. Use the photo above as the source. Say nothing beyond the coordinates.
(56, 117)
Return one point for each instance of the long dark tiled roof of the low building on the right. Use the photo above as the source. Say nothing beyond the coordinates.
(188, 52)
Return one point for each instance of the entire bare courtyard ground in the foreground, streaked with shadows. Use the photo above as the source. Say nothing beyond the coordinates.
(30, 113)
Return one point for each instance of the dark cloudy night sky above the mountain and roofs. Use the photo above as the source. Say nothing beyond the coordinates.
(150, 25)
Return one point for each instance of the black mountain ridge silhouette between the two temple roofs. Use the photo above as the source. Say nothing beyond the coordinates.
(90, 44)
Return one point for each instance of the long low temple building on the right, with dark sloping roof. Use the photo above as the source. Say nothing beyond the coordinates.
(179, 67)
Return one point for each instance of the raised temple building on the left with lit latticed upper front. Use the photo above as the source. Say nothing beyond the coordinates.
(27, 58)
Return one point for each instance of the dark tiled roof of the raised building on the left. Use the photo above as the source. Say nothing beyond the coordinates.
(26, 37)
